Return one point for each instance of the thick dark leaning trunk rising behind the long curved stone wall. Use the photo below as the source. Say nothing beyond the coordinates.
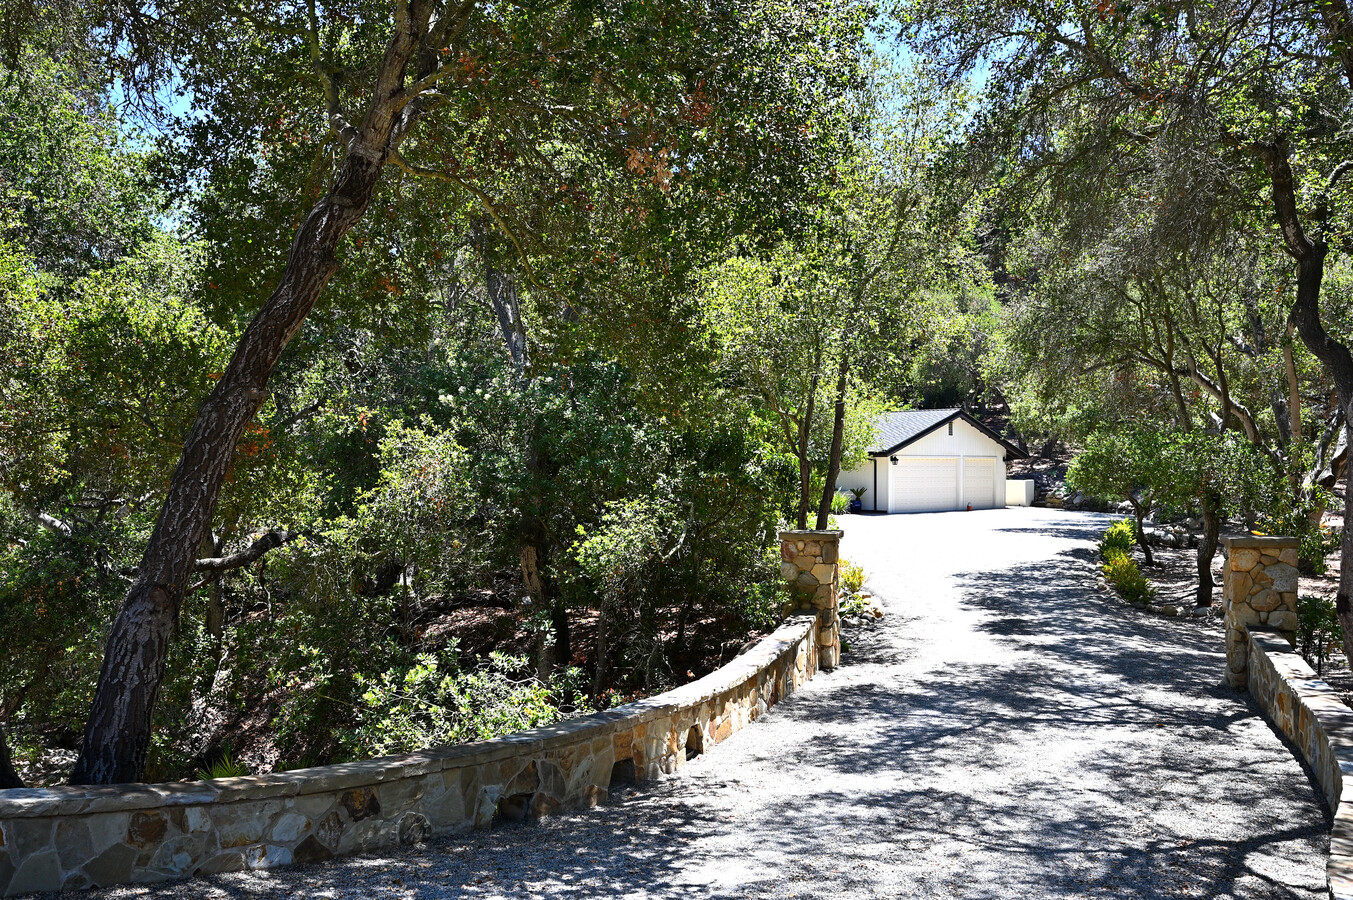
(118, 732)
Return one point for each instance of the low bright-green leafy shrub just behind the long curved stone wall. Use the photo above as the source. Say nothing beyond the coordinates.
(432, 703)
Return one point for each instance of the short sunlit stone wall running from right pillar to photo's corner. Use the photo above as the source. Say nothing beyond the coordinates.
(1320, 725)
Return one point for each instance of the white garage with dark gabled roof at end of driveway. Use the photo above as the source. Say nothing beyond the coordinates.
(933, 461)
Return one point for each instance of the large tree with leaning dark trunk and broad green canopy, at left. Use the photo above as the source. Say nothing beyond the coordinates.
(607, 140)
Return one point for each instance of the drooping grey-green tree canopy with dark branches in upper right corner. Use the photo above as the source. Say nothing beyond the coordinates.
(1206, 125)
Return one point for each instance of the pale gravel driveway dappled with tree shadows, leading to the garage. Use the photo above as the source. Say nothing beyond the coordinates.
(1003, 733)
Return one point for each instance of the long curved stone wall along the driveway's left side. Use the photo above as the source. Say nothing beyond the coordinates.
(58, 838)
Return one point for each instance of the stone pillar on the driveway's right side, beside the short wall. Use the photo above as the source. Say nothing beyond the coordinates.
(1260, 589)
